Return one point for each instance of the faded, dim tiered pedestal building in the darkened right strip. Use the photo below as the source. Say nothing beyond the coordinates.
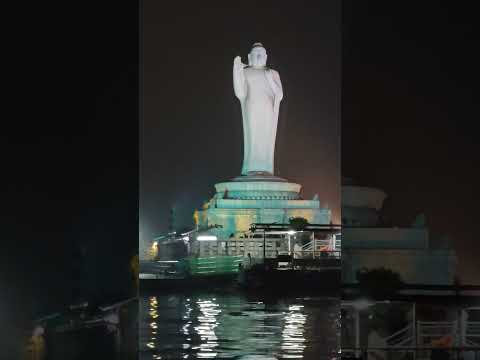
(369, 244)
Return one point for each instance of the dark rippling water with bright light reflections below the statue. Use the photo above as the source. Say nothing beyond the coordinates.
(232, 326)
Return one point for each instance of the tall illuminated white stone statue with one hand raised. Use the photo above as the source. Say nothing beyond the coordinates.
(260, 91)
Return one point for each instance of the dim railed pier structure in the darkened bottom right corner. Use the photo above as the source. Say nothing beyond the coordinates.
(457, 334)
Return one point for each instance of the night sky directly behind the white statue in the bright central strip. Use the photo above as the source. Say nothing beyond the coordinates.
(192, 128)
